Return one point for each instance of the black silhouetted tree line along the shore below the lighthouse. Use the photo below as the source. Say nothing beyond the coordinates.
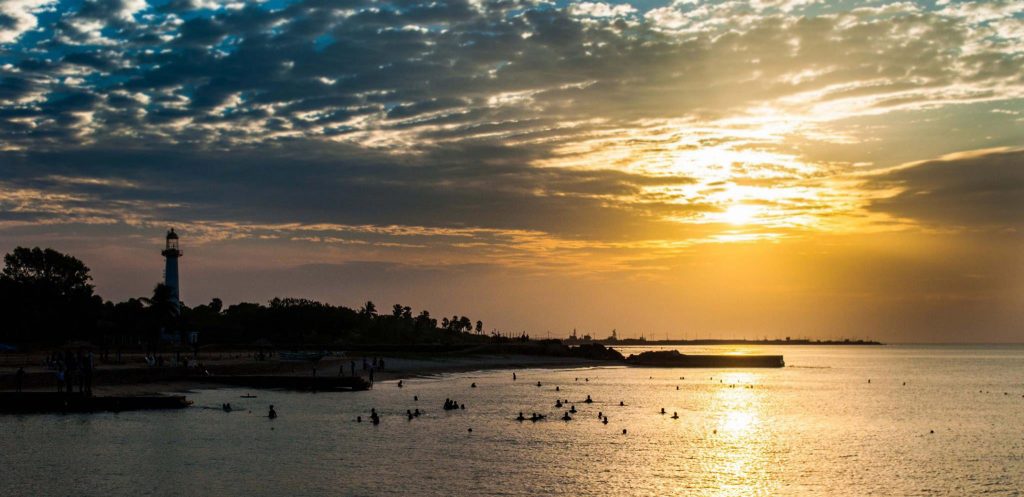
(47, 298)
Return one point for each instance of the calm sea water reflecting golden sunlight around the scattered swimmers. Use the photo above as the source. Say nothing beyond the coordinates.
(816, 428)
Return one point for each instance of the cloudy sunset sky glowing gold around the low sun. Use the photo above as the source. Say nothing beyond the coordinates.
(679, 169)
